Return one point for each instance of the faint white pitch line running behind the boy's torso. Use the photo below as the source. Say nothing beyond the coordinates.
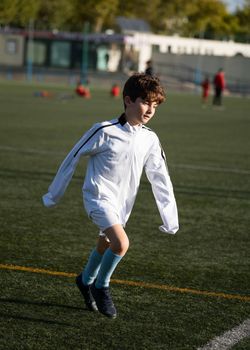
(172, 165)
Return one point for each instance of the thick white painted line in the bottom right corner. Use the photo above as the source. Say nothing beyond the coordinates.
(230, 338)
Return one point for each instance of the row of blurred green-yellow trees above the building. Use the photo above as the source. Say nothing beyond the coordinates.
(194, 18)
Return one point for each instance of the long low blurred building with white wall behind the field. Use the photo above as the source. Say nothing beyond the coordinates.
(182, 59)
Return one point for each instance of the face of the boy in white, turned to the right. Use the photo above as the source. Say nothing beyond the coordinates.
(140, 111)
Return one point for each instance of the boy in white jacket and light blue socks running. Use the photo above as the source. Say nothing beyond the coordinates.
(119, 150)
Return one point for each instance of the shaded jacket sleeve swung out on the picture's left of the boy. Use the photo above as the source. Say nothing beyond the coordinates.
(88, 144)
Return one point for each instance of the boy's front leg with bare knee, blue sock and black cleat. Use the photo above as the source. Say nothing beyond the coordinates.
(119, 244)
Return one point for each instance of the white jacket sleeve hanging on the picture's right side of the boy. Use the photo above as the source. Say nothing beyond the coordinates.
(158, 176)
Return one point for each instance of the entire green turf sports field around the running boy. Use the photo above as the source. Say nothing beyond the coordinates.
(188, 288)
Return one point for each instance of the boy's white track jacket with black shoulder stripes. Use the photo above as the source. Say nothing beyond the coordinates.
(118, 154)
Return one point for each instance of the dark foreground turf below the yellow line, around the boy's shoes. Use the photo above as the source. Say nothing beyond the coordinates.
(47, 310)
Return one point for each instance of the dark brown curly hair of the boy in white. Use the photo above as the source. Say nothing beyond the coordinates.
(145, 86)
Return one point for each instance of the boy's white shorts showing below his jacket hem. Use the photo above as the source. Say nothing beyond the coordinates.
(104, 219)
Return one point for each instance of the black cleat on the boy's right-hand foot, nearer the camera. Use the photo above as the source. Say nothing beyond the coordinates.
(103, 301)
